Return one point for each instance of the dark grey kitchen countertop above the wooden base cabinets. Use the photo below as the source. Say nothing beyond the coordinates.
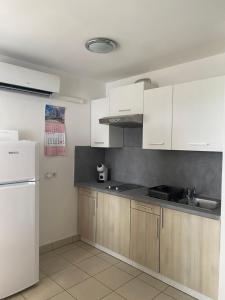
(140, 194)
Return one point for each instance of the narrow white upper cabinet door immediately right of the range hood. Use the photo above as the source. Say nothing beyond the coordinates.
(157, 122)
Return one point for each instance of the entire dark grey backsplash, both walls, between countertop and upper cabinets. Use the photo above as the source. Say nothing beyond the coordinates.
(153, 167)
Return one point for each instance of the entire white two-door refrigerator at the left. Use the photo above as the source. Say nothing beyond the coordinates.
(19, 216)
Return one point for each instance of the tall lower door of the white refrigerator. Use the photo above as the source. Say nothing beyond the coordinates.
(19, 237)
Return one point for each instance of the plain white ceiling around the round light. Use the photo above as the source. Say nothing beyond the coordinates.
(152, 34)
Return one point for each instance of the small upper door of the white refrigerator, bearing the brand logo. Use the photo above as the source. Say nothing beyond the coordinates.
(18, 161)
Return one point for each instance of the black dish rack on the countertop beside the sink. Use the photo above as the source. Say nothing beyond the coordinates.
(166, 192)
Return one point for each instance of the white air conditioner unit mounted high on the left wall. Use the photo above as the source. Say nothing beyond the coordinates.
(15, 78)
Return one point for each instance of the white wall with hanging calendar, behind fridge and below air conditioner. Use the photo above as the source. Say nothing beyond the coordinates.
(58, 202)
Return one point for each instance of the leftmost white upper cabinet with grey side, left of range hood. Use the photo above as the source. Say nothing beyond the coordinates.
(103, 135)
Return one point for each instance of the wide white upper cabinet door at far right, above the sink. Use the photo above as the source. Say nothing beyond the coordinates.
(198, 113)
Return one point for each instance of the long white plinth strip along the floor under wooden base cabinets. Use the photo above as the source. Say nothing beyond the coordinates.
(167, 280)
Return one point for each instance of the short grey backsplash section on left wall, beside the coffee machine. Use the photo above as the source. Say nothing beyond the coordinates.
(86, 160)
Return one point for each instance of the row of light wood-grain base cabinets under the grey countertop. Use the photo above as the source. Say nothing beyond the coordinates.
(181, 246)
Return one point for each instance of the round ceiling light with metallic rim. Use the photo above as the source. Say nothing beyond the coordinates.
(101, 45)
